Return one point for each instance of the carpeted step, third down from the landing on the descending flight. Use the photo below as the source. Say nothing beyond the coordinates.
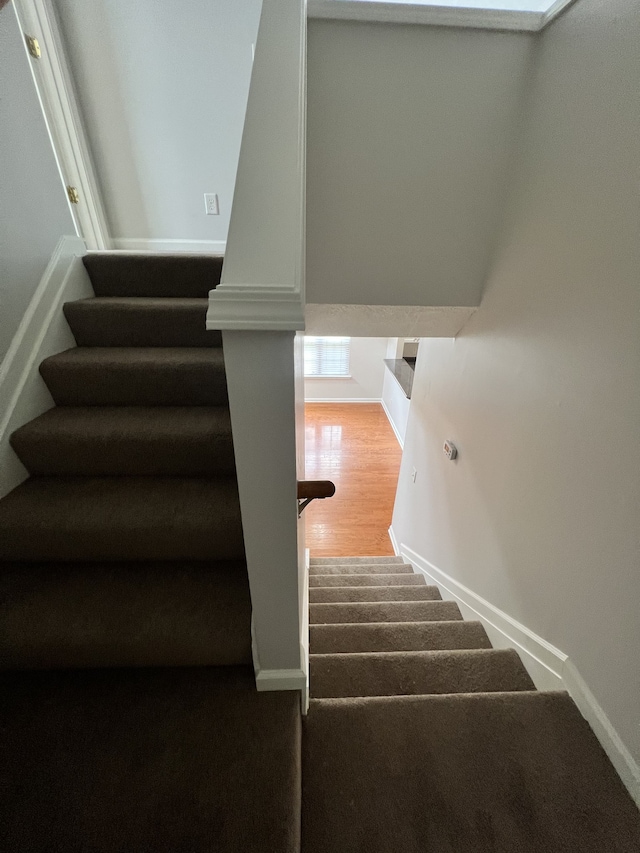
(383, 611)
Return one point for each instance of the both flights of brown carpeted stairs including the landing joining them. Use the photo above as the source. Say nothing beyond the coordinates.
(129, 718)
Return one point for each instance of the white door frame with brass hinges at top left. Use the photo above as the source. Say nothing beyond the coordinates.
(54, 85)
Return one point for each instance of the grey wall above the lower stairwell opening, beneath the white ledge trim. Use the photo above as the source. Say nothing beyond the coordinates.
(410, 130)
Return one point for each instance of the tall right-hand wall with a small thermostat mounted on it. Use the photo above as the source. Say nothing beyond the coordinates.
(541, 390)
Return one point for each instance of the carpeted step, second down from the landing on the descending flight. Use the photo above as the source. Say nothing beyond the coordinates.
(397, 637)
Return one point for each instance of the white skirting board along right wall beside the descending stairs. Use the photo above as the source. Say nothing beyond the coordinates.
(549, 668)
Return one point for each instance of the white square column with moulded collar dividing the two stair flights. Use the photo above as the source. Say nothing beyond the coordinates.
(259, 306)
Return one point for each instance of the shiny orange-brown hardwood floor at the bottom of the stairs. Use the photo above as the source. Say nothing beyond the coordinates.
(353, 445)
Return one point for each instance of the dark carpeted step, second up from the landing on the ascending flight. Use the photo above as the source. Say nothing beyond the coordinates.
(121, 518)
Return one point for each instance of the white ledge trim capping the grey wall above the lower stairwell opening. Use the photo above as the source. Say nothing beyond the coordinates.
(375, 11)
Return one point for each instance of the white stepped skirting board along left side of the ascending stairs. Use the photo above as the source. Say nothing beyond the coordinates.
(42, 332)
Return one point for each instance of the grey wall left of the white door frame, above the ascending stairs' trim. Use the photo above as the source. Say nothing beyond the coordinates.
(34, 212)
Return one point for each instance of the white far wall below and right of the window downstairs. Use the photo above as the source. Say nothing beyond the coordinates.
(367, 375)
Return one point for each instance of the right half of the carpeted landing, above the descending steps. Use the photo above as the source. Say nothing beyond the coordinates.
(501, 772)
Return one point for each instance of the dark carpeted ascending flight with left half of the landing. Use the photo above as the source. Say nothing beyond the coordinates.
(129, 717)
